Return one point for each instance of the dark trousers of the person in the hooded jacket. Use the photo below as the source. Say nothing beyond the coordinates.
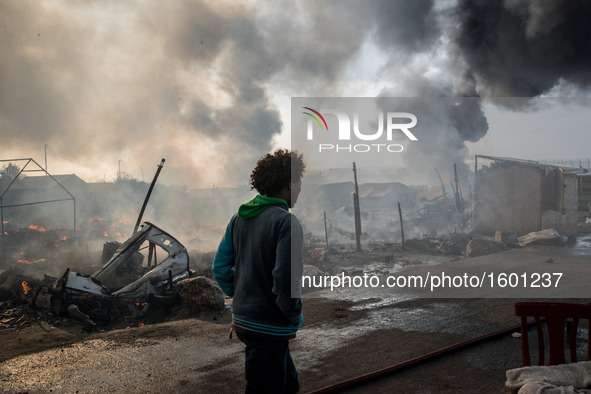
(268, 367)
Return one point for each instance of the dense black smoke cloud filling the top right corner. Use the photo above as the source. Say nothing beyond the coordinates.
(525, 48)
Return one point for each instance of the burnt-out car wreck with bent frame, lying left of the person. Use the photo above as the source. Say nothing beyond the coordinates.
(129, 284)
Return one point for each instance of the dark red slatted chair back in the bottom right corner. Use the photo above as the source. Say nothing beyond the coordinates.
(556, 315)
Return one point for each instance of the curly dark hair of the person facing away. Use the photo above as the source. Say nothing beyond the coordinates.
(276, 170)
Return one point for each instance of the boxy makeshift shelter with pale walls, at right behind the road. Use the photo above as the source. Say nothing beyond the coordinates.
(523, 196)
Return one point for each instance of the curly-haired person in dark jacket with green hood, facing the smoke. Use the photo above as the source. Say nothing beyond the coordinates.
(259, 263)
